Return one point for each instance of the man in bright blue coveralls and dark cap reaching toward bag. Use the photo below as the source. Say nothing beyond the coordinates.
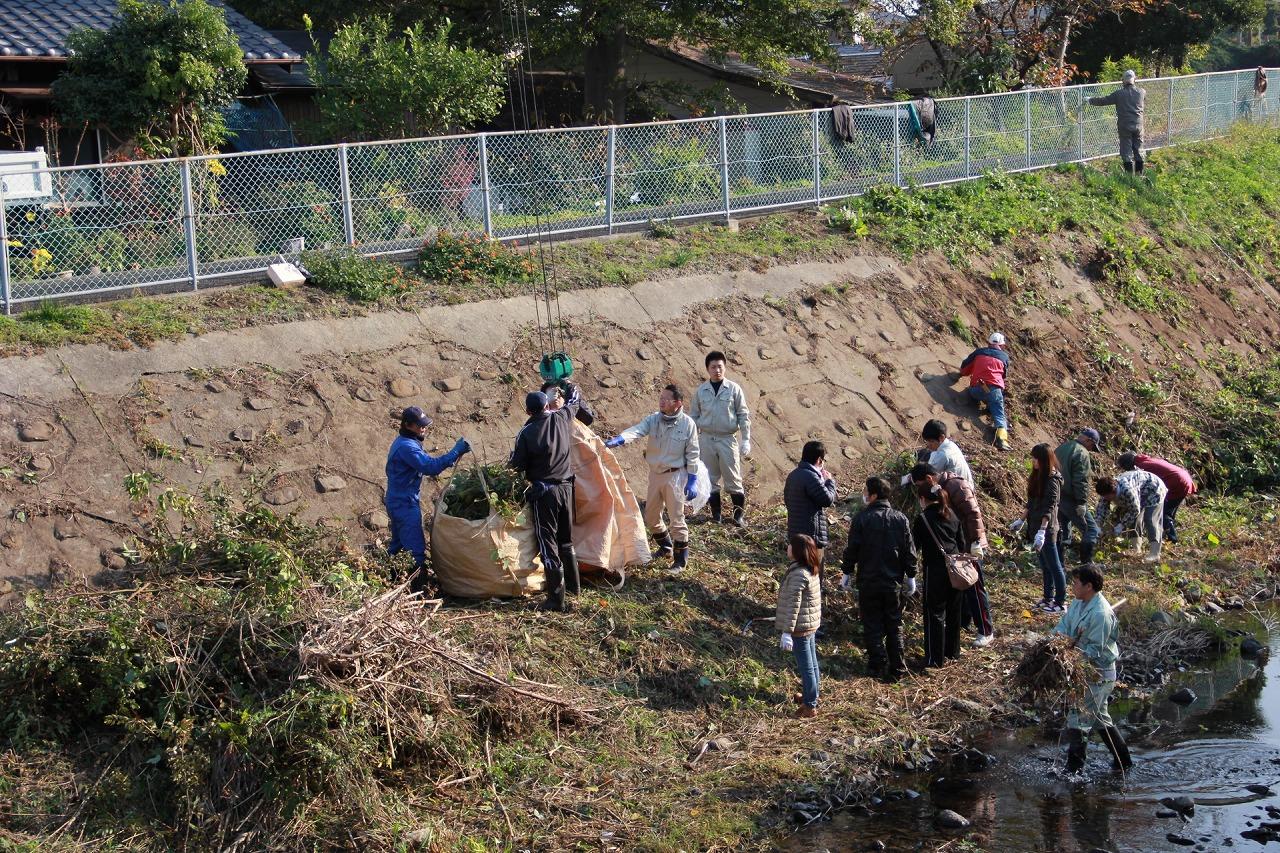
(406, 466)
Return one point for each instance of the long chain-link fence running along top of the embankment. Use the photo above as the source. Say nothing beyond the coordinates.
(184, 223)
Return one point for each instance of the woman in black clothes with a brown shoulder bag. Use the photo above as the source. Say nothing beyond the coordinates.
(936, 532)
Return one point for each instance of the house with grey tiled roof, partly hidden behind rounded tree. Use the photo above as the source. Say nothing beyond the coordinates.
(34, 53)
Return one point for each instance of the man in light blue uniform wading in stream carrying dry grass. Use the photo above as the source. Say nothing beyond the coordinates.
(1092, 628)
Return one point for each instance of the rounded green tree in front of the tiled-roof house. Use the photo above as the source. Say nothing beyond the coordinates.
(162, 76)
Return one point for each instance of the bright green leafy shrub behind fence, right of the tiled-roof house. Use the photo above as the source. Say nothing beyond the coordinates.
(378, 85)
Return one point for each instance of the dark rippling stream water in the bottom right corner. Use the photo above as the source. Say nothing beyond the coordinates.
(1229, 738)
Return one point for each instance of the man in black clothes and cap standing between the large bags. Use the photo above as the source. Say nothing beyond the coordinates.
(543, 454)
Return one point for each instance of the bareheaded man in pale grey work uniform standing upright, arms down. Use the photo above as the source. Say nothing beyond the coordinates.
(724, 434)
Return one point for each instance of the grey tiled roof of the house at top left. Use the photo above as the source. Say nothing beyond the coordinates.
(39, 29)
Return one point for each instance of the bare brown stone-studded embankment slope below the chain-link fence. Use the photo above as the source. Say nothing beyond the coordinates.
(858, 353)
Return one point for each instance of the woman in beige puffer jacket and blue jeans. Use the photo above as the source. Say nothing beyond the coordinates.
(799, 617)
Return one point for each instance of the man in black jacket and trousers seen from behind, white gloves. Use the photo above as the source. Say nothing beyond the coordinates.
(883, 558)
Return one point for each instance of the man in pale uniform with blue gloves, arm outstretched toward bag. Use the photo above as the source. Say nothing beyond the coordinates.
(673, 453)
